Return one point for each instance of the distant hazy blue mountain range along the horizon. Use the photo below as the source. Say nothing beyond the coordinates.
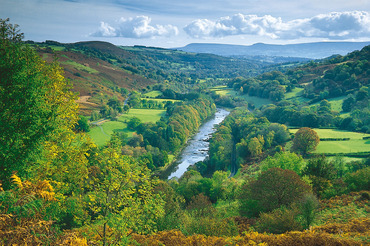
(317, 50)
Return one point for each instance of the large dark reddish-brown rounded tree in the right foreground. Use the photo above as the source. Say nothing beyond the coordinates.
(272, 189)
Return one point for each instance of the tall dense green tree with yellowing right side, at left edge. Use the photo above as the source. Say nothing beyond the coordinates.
(36, 104)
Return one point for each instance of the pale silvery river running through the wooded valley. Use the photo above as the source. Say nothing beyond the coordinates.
(198, 146)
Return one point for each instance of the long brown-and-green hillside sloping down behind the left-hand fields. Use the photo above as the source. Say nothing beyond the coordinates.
(100, 70)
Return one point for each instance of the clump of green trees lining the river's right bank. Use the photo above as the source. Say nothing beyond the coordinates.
(241, 136)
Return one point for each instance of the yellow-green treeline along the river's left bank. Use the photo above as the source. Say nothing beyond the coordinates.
(154, 141)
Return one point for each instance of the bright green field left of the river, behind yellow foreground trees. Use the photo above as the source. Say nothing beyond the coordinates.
(101, 134)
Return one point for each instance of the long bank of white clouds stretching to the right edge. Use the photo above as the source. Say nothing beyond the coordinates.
(335, 25)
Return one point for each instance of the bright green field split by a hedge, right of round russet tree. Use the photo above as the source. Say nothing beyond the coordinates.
(354, 145)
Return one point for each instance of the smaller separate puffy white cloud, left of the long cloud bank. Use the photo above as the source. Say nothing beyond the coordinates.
(136, 27)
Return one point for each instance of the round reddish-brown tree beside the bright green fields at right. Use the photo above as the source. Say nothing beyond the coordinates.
(305, 140)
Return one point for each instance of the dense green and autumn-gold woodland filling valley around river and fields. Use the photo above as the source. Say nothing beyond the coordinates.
(260, 185)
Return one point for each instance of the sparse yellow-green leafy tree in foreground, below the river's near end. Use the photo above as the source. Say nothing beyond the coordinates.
(120, 195)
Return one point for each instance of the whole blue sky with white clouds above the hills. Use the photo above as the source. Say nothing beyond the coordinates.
(175, 23)
